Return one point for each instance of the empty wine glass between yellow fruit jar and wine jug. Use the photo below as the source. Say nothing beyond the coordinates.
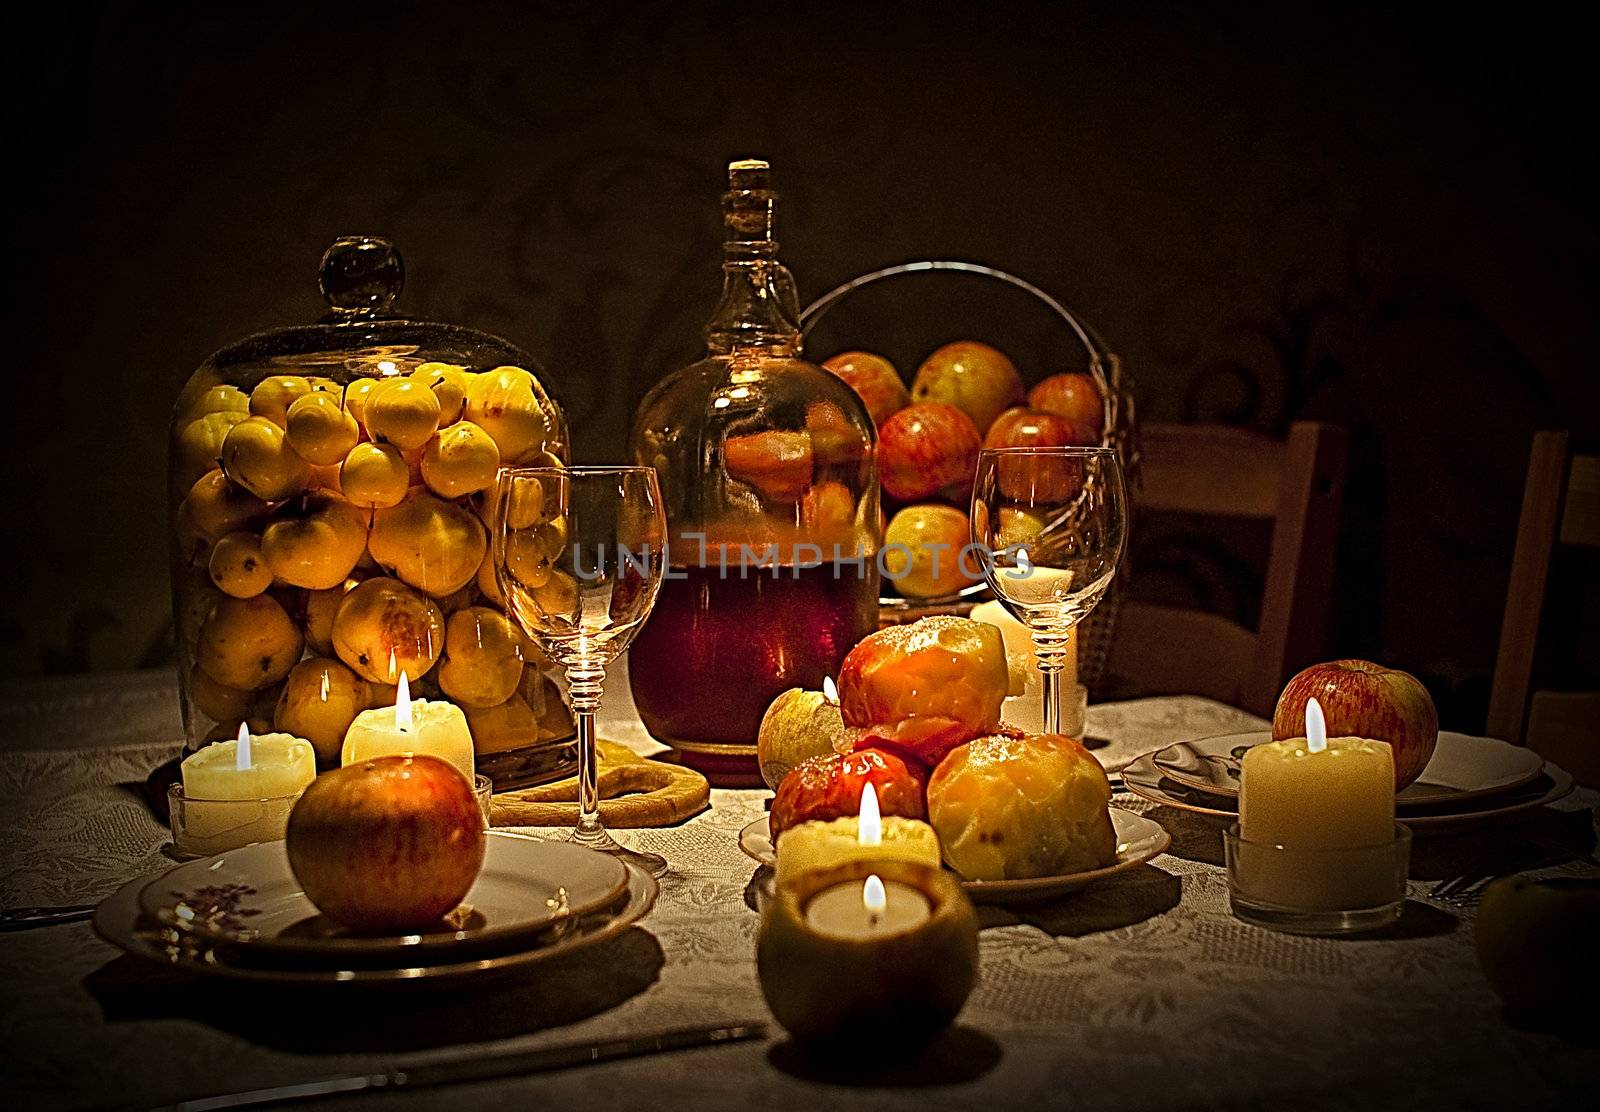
(578, 556)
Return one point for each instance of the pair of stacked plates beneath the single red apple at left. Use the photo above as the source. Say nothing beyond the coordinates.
(242, 916)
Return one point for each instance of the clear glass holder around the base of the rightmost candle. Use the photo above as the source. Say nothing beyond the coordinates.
(1318, 890)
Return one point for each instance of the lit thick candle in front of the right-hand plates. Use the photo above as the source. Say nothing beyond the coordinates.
(1316, 847)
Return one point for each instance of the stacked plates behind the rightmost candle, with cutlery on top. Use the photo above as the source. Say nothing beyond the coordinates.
(1468, 780)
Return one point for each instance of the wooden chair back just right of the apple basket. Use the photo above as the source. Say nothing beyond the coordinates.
(1222, 471)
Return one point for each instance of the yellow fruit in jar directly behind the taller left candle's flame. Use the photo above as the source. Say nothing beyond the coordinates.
(385, 628)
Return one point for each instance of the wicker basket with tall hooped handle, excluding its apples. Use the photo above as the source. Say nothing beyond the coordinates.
(1105, 366)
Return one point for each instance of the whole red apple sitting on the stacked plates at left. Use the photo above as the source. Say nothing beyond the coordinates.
(390, 844)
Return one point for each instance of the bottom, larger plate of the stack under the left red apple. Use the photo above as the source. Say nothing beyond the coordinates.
(119, 922)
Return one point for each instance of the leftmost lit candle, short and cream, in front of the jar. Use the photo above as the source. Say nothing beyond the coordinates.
(239, 793)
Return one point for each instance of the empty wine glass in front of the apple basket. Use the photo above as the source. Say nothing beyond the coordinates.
(1050, 526)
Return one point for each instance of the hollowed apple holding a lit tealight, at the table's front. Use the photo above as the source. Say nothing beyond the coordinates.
(855, 985)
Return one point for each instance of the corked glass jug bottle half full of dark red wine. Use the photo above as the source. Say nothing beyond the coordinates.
(769, 471)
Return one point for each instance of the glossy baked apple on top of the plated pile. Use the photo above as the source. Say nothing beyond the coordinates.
(927, 687)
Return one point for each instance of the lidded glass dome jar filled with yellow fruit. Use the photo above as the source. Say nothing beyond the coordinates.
(329, 487)
